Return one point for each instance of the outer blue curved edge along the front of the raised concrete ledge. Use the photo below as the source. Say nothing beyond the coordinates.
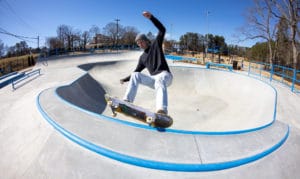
(183, 167)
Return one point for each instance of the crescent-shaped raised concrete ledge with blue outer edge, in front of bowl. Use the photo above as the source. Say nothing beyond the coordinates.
(157, 149)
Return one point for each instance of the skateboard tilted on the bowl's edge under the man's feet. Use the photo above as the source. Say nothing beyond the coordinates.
(144, 115)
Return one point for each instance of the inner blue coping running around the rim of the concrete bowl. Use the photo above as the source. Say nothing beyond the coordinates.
(132, 124)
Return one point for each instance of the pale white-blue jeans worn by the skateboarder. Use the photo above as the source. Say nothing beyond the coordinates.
(159, 82)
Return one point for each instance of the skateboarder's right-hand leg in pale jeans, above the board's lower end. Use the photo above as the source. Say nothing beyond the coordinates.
(162, 81)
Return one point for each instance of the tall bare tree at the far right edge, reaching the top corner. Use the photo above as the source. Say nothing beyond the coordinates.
(290, 11)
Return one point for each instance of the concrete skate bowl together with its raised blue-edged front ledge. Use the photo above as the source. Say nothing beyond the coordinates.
(210, 109)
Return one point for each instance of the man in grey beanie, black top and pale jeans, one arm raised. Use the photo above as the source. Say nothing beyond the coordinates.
(154, 60)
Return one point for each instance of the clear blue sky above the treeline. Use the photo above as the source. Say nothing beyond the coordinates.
(31, 18)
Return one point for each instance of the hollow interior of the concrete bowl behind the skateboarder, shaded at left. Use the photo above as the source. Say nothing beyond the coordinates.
(199, 99)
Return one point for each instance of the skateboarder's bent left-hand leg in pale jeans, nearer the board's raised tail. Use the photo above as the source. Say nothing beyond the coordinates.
(136, 79)
